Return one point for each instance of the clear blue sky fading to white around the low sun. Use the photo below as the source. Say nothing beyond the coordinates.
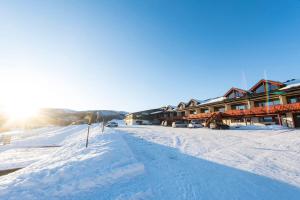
(133, 55)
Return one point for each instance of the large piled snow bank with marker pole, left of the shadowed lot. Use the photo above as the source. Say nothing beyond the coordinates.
(74, 169)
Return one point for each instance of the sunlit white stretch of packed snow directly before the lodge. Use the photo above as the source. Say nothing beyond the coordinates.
(271, 153)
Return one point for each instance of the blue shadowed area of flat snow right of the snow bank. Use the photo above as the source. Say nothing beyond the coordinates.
(170, 174)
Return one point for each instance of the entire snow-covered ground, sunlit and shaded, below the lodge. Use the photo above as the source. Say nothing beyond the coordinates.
(152, 162)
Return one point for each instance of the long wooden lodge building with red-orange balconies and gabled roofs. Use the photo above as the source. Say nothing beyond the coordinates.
(266, 103)
